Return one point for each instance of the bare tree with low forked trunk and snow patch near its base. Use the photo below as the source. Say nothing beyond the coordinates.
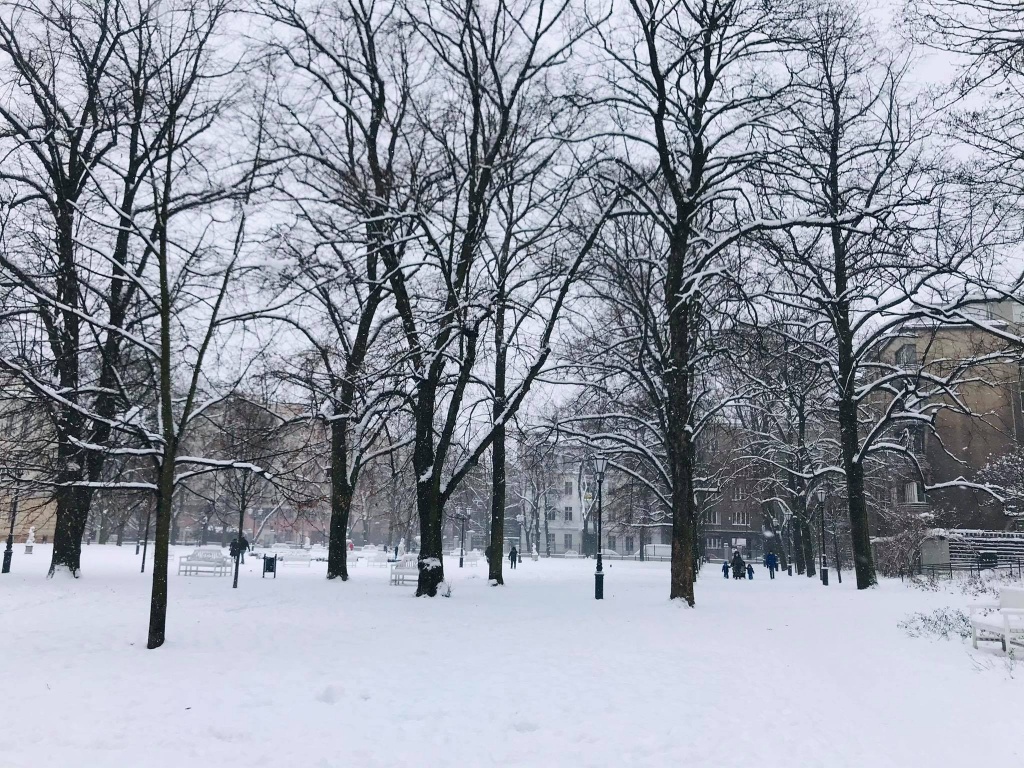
(493, 116)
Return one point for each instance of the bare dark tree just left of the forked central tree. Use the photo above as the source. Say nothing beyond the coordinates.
(344, 124)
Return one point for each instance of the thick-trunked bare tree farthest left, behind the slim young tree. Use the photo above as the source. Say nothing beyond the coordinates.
(75, 100)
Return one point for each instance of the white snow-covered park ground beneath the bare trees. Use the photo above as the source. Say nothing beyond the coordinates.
(302, 672)
